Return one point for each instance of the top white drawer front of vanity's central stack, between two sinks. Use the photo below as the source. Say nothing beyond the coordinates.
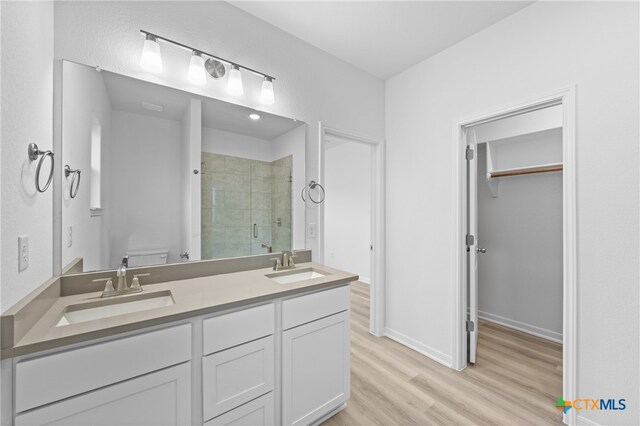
(233, 329)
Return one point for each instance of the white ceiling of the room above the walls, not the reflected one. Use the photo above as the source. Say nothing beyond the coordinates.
(382, 38)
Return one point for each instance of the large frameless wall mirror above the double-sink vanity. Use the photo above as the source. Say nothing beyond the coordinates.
(168, 176)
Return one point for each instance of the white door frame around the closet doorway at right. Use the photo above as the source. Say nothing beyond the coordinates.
(566, 98)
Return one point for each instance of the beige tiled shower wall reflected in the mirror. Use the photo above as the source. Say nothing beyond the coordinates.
(241, 200)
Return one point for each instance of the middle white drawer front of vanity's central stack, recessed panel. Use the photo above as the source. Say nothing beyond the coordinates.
(237, 375)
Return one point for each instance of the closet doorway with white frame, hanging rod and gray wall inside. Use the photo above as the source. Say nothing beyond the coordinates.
(527, 175)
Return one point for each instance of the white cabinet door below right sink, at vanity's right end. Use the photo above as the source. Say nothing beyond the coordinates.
(315, 369)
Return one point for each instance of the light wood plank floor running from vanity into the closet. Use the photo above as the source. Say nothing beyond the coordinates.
(516, 380)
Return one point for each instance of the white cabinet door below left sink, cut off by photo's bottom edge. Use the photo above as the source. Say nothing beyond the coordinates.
(159, 398)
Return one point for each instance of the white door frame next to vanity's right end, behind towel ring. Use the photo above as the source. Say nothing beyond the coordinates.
(377, 284)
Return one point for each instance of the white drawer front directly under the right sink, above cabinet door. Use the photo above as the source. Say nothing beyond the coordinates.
(303, 309)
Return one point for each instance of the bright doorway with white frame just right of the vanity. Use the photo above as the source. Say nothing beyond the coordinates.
(351, 222)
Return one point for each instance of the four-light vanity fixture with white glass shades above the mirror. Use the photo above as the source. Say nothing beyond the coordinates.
(152, 61)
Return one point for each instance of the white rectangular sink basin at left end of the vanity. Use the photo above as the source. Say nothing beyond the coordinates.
(106, 308)
